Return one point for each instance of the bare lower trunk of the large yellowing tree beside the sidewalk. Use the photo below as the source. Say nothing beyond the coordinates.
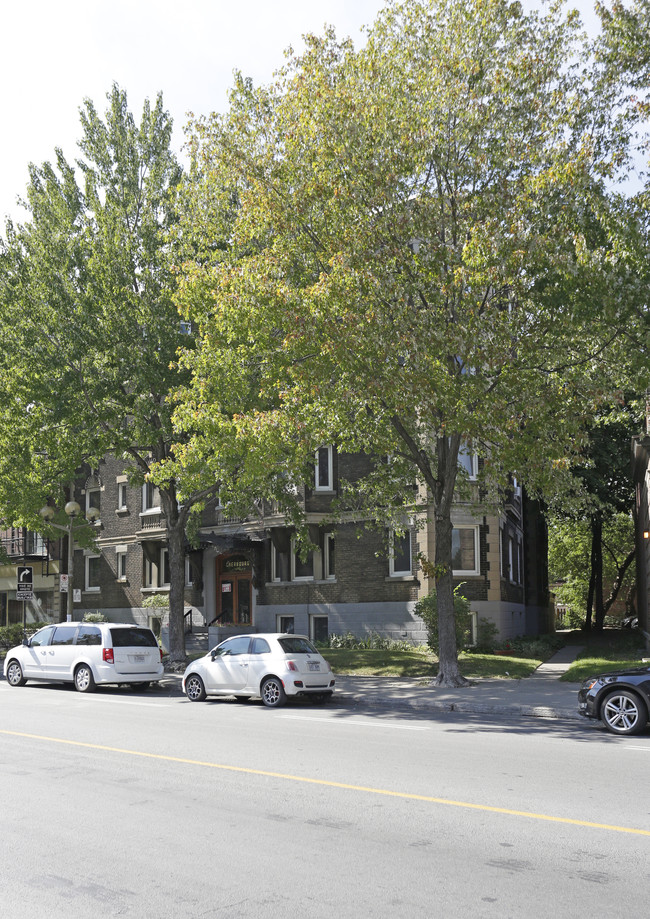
(448, 671)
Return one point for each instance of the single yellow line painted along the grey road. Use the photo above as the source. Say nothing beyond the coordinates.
(324, 782)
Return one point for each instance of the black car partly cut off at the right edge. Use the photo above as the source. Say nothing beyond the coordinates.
(621, 700)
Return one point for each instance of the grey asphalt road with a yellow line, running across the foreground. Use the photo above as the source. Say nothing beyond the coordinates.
(144, 805)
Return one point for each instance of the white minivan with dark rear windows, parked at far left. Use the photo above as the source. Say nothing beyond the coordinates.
(86, 654)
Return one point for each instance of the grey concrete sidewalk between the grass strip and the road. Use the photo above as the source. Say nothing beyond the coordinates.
(541, 695)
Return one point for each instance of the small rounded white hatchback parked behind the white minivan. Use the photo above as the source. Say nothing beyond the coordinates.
(272, 666)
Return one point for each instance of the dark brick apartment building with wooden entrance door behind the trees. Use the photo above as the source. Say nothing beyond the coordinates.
(247, 572)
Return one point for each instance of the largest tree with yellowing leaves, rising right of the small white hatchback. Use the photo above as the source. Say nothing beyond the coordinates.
(418, 255)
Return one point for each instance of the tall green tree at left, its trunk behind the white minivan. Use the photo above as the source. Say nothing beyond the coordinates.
(88, 325)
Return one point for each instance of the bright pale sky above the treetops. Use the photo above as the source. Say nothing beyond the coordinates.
(56, 54)
